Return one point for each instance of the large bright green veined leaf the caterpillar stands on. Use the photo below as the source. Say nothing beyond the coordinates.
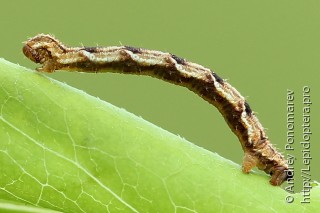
(64, 150)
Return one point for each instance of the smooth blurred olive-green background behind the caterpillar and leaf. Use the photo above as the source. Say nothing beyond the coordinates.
(263, 48)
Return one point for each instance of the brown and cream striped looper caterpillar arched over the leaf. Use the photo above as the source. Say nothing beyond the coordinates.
(258, 151)
